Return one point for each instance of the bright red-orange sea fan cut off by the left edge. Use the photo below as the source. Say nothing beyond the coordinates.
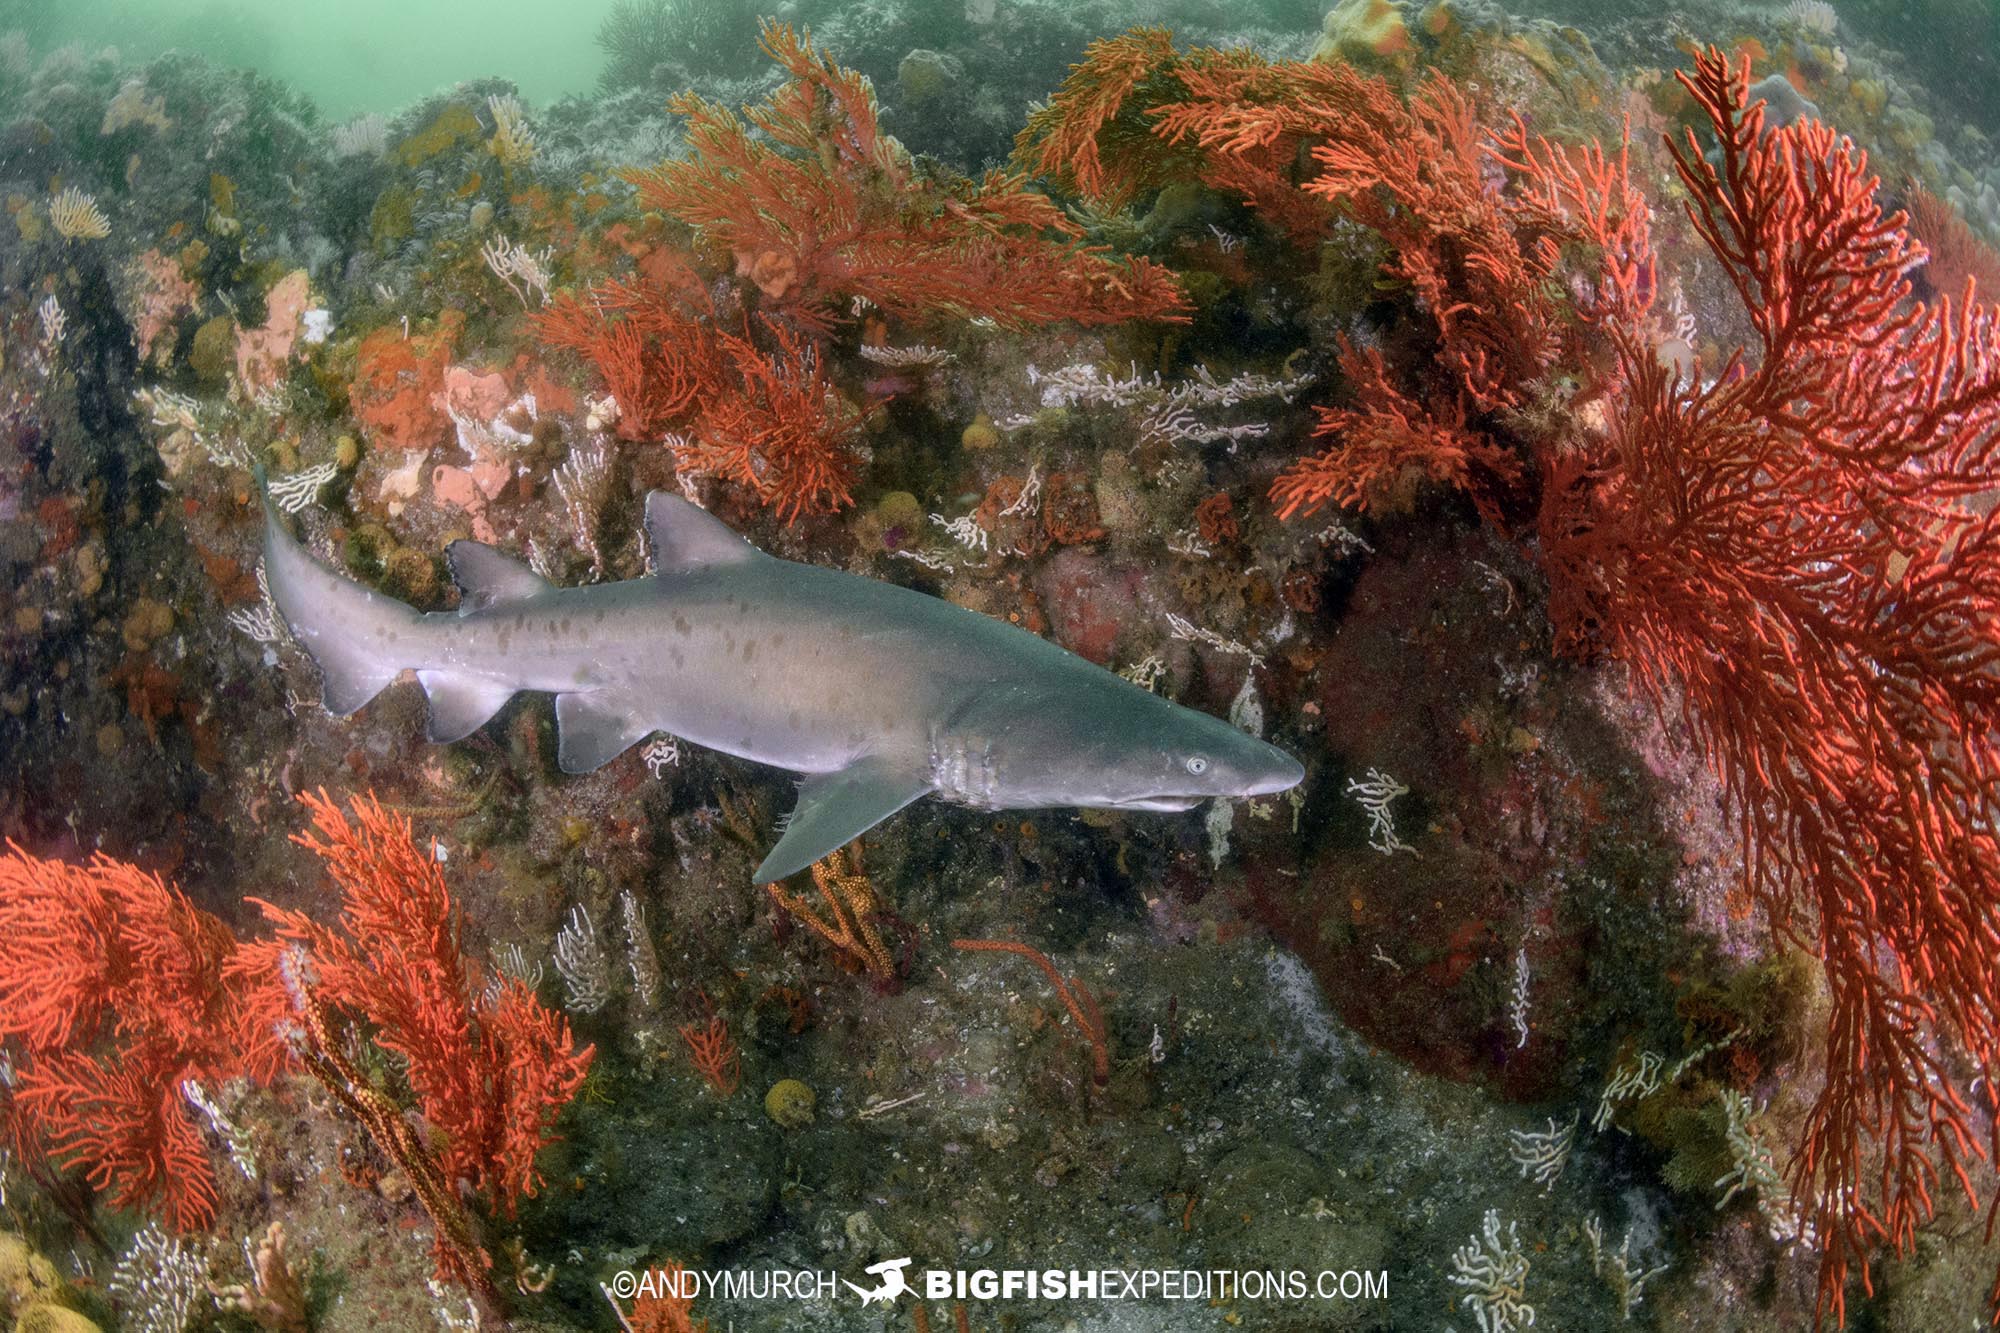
(113, 998)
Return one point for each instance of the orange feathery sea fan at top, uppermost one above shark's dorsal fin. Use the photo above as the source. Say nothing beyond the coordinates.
(821, 211)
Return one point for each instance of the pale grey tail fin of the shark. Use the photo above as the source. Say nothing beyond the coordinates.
(359, 639)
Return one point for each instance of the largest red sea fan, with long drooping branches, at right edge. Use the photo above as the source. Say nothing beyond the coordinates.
(1801, 553)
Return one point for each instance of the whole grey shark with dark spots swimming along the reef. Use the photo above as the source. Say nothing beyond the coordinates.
(875, 694)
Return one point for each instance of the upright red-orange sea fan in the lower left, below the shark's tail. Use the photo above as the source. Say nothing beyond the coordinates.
(489, 1064)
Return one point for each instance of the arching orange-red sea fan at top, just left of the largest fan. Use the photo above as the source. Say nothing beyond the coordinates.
(1479, 259)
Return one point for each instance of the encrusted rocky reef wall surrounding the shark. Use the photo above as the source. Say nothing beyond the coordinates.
(1487, 1016)
